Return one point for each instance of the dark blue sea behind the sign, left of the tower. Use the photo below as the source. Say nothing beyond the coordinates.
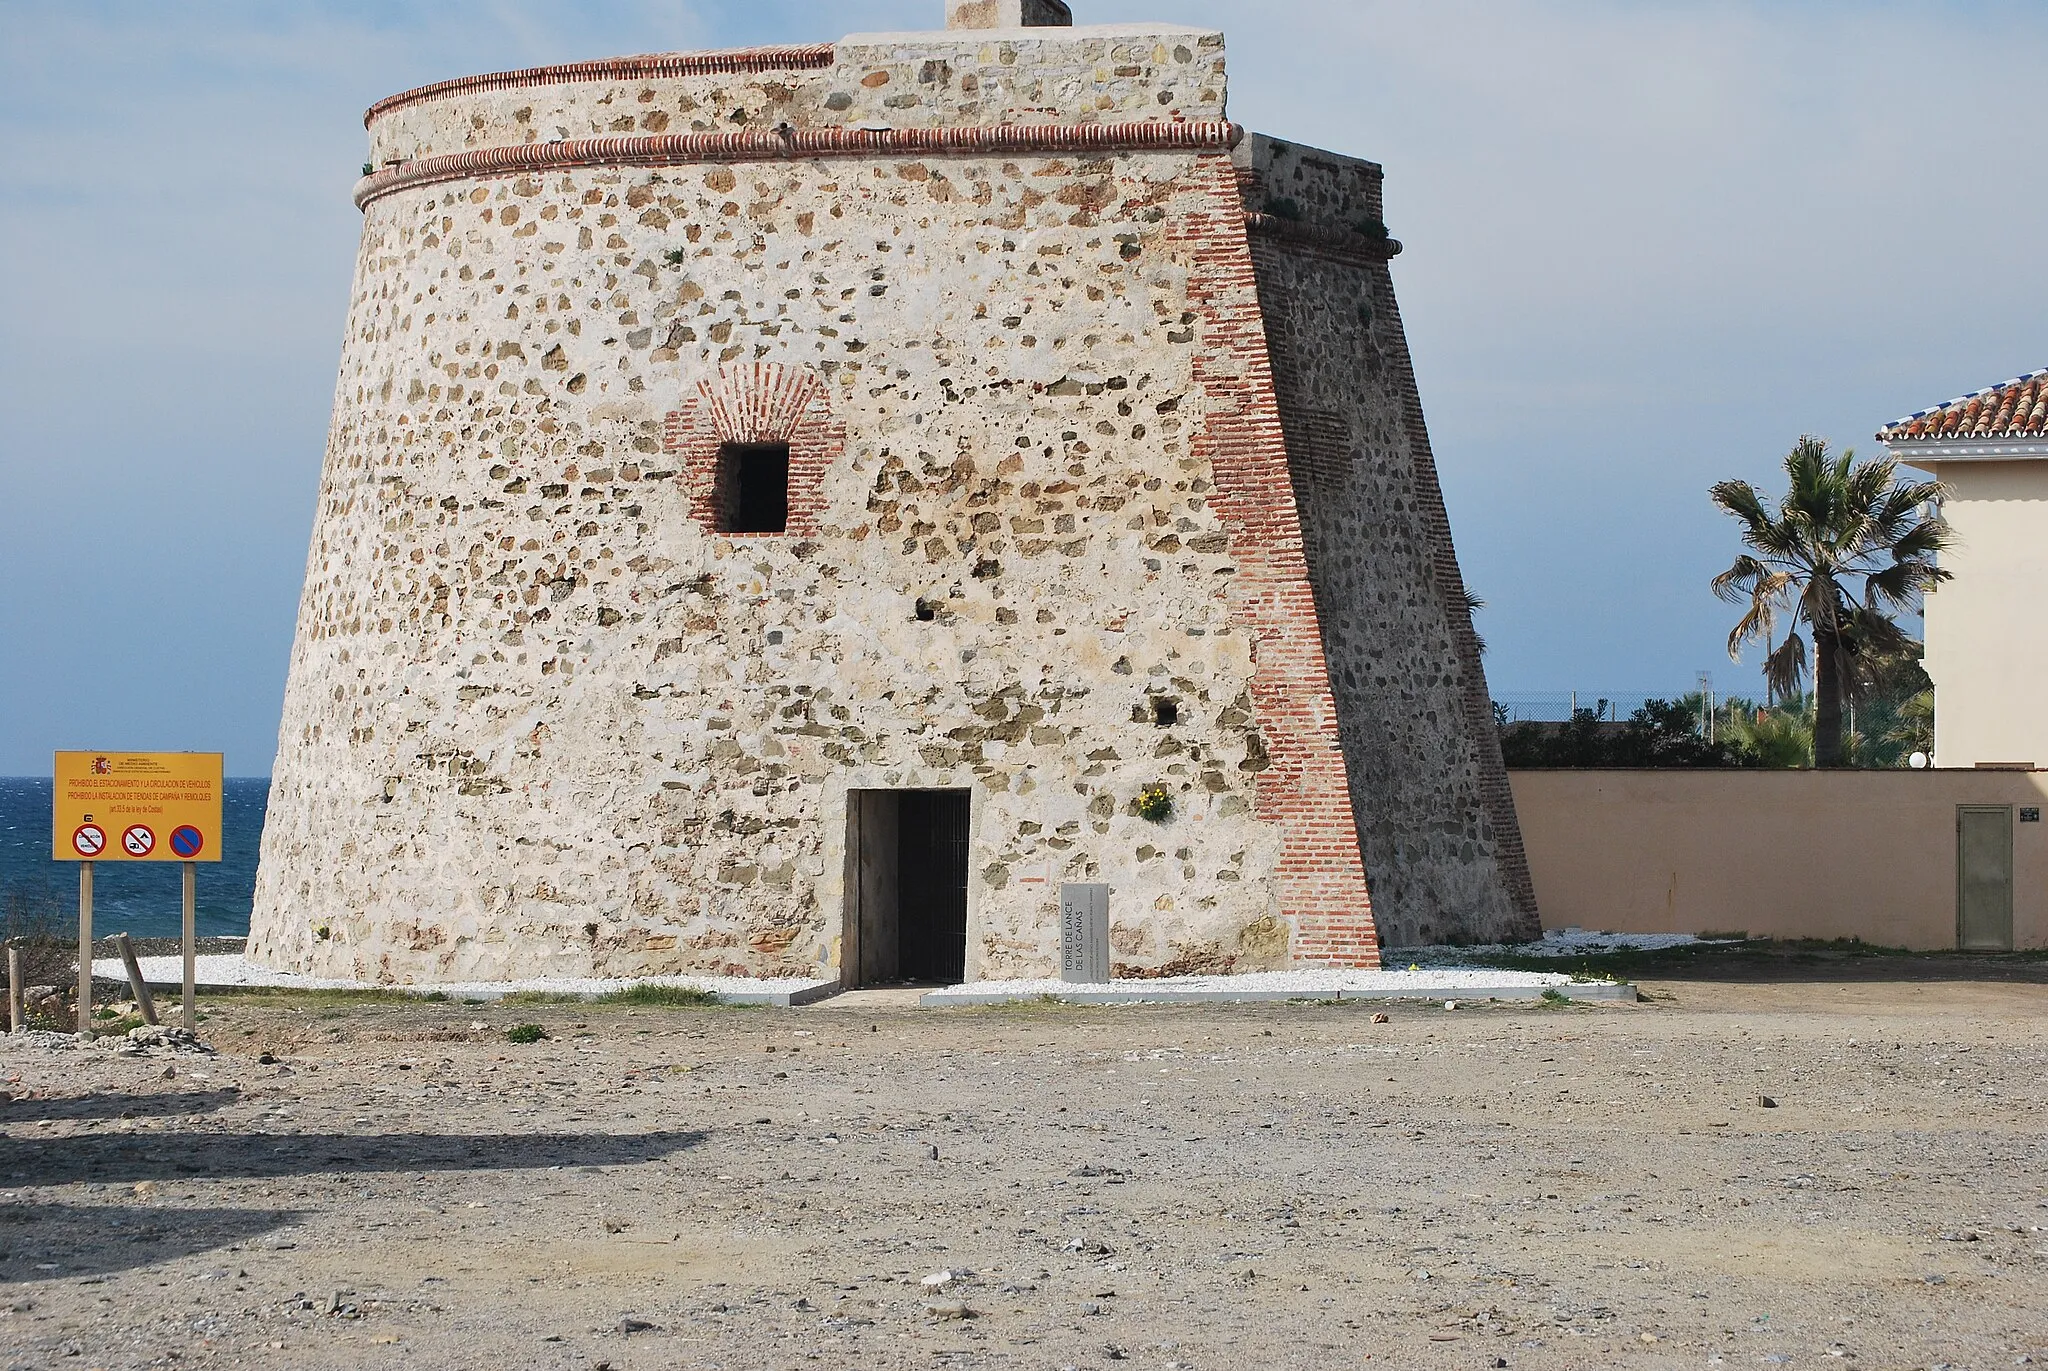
(140, 899)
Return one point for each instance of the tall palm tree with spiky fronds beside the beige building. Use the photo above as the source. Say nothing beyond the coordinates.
(1840, 524)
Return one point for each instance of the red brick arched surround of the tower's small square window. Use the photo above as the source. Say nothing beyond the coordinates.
(751, 407)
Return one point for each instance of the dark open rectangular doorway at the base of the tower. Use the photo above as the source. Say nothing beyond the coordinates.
(906, 888)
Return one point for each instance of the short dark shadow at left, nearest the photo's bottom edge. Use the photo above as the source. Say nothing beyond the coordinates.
(60, 1243)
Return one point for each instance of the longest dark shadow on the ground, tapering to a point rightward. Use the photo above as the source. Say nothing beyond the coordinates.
(239, 1157)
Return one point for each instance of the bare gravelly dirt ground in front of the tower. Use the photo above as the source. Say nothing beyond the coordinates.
(1158, 1188)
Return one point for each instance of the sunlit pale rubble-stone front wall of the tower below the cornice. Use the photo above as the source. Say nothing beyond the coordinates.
(542, 720)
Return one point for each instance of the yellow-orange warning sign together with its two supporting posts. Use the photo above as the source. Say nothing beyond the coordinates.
(136, 806)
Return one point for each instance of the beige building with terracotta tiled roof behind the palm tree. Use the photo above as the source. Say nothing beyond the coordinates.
(1988, 653)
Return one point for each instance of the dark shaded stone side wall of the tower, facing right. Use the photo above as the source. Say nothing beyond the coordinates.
(1441, 839)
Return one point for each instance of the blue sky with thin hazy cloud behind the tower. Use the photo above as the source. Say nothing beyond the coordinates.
(1650, 245)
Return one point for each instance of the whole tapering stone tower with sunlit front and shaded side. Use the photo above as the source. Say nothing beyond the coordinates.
(785, 509)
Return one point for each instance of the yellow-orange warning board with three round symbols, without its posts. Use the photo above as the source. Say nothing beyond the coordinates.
(138, 806)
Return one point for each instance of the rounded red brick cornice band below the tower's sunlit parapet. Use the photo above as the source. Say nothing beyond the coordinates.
(800, 144)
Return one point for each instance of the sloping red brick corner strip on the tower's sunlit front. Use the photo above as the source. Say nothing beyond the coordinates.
(1322, 878)
